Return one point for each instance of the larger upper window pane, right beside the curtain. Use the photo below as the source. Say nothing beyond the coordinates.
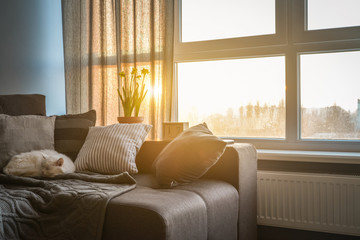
(213, 19)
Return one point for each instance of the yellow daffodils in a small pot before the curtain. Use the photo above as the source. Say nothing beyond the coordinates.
(132, 95)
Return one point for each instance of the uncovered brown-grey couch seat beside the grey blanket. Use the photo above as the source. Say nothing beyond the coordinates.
(205, 209)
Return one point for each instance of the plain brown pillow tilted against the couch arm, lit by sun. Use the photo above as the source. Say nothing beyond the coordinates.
(188, 156)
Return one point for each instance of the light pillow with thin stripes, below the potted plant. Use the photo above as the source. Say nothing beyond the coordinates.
(112, 149)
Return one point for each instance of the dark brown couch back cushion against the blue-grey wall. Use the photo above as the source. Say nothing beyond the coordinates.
(23, 104)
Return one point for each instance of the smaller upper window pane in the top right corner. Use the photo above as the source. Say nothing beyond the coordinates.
(324, 14)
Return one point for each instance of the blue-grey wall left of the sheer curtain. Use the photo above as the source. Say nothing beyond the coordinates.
(31, 50)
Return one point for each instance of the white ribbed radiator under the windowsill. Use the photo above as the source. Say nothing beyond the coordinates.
(316, 202)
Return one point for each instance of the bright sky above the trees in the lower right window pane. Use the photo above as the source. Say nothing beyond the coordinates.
(330, 78)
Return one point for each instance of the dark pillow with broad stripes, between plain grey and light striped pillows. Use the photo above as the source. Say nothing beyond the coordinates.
(71, 131)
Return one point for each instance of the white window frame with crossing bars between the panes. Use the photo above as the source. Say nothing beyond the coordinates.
(290, 40)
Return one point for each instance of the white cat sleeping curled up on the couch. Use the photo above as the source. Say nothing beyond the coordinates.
(47, 163)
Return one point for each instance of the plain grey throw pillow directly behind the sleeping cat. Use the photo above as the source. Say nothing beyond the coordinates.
(25, 133)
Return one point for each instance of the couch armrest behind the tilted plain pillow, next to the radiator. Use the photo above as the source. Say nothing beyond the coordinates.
(236, 166)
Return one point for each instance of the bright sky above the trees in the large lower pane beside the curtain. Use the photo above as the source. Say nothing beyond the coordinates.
(230, 83)
